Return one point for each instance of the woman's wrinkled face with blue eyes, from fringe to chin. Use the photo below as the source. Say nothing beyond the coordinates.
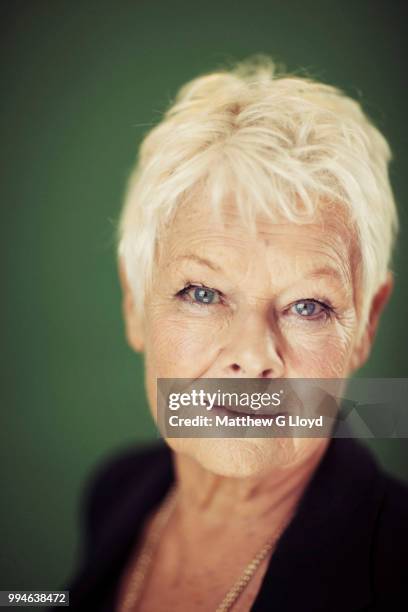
(226, 303)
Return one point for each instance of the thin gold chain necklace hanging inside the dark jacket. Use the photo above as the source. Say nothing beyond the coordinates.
(149, 546)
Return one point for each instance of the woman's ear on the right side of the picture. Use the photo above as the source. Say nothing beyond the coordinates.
(379, 301)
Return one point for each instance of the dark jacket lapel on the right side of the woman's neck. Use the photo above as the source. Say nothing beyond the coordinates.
(323, 559)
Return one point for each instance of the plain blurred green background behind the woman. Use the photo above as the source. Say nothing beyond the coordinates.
(81, 83)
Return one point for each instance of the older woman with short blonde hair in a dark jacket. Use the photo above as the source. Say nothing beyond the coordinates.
(255, 242)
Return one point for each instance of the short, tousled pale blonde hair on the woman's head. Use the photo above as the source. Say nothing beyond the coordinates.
(279, 143)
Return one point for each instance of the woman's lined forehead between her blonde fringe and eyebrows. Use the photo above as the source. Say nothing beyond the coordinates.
(195, 229)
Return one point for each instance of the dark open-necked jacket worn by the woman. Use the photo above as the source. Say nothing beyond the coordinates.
(345, 550)
